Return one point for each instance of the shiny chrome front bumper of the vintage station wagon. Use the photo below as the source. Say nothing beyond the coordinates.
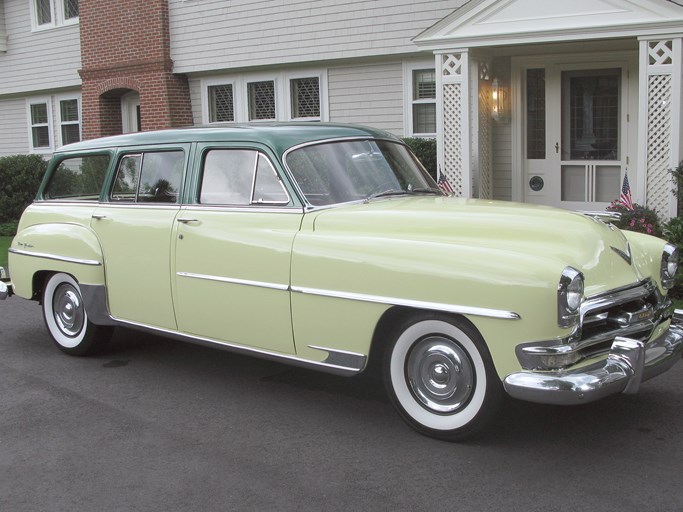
(629, 363)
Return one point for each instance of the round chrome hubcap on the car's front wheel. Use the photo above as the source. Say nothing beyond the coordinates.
(440, 374)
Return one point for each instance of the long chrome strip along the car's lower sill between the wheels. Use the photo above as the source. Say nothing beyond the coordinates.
(337, 369)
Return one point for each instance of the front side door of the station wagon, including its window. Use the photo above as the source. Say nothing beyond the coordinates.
(233, 251)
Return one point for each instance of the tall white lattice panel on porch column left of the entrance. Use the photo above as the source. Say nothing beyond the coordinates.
(453, 136)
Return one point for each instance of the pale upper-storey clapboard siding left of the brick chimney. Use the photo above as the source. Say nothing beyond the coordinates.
(39, 60)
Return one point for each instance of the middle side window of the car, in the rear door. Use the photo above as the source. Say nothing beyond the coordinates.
(149, 177)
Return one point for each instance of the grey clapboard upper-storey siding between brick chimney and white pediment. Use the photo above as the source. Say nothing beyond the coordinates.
(214, 34)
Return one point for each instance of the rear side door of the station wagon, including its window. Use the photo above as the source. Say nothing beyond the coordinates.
(134, 227)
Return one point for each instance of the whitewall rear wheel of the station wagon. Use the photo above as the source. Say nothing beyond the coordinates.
(67, 320)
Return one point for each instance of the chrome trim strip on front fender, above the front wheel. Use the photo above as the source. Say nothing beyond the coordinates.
(435, 306)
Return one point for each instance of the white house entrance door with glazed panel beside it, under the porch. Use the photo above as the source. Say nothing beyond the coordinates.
(577, 129)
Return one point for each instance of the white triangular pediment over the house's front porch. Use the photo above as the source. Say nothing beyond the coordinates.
(498, 22)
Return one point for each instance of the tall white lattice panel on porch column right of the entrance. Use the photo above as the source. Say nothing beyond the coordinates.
(659, 142)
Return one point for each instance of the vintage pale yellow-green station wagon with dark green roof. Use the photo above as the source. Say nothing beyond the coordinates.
(330, 247)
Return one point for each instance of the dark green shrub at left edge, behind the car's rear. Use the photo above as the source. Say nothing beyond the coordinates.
(20, 176)
